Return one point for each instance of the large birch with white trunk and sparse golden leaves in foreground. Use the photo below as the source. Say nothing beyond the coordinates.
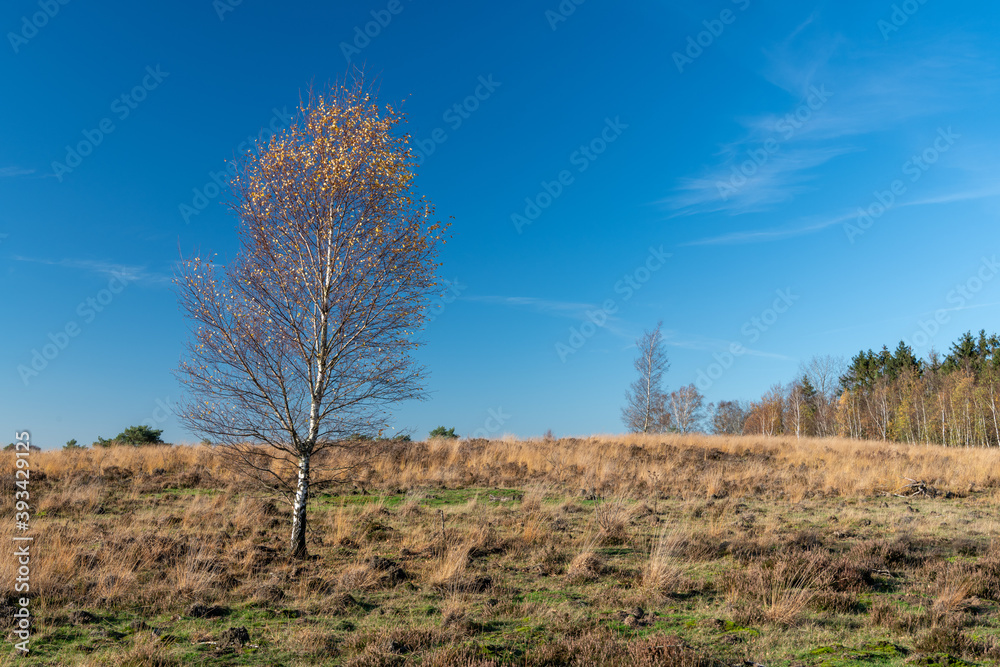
(304, 338)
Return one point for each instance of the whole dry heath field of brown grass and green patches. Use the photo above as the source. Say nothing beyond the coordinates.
(617, 550)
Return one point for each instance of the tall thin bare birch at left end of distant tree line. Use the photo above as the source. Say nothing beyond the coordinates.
(645, 408)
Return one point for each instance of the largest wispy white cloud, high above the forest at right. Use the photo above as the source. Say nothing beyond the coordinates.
(837, 98)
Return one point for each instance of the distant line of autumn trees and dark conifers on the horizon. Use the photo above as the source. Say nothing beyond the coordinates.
(951, 400)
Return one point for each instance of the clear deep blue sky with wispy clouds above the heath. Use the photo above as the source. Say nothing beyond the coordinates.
(797, 178)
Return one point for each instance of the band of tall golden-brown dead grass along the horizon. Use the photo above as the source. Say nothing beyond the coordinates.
(689, 466)
